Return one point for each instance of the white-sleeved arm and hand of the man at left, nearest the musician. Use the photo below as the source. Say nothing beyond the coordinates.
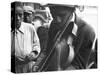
(35, 45)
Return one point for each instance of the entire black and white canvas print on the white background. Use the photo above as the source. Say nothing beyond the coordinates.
(53, 37)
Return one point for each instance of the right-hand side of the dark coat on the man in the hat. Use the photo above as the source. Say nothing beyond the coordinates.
(83, 44)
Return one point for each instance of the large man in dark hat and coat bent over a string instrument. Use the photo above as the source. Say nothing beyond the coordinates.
(70, 40)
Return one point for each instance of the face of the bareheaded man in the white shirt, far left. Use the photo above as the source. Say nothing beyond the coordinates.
(18, 16)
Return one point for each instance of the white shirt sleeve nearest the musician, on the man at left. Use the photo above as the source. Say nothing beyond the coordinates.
(36, 43)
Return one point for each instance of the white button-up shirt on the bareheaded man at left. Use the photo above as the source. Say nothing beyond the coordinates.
(25, 40)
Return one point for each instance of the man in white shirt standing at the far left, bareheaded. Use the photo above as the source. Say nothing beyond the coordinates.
(25, 45)
